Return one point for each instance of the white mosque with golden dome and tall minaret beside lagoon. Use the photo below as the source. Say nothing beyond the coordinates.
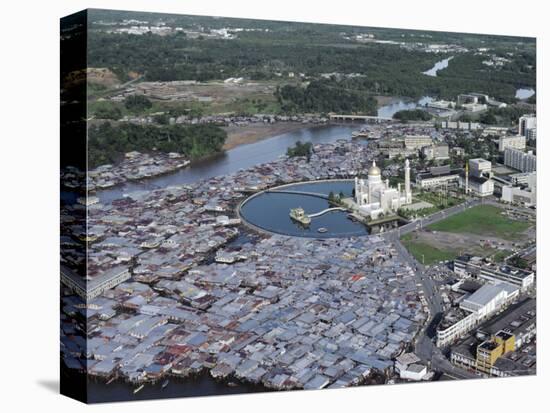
(374, 197)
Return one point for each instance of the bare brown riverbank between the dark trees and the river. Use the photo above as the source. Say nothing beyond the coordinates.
(254, 132)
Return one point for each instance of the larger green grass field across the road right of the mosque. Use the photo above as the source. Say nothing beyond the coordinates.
(482, 220)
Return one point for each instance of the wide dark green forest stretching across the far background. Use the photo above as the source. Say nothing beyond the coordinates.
(372, 68)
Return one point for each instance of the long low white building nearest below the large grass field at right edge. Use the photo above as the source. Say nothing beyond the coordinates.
(478, 268)
